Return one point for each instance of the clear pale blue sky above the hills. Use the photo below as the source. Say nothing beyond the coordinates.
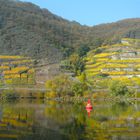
(92, 12)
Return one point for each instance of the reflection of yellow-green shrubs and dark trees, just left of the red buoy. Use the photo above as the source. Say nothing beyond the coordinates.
(70, 118)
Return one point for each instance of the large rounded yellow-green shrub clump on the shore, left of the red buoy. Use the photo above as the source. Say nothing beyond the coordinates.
(64, 85)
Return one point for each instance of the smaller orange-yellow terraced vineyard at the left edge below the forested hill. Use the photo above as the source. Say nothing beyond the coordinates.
(16, 70)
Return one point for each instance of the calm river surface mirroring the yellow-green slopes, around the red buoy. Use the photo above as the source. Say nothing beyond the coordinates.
(51, 120)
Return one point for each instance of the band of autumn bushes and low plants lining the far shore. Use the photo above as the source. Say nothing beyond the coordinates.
(65, 88)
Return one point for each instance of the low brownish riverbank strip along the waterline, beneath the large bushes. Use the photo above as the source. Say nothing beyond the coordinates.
(11, 95)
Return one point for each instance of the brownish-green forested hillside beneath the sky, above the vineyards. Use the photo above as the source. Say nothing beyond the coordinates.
(27, 30)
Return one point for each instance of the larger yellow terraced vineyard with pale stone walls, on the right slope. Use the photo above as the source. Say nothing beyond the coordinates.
(118, 61)
